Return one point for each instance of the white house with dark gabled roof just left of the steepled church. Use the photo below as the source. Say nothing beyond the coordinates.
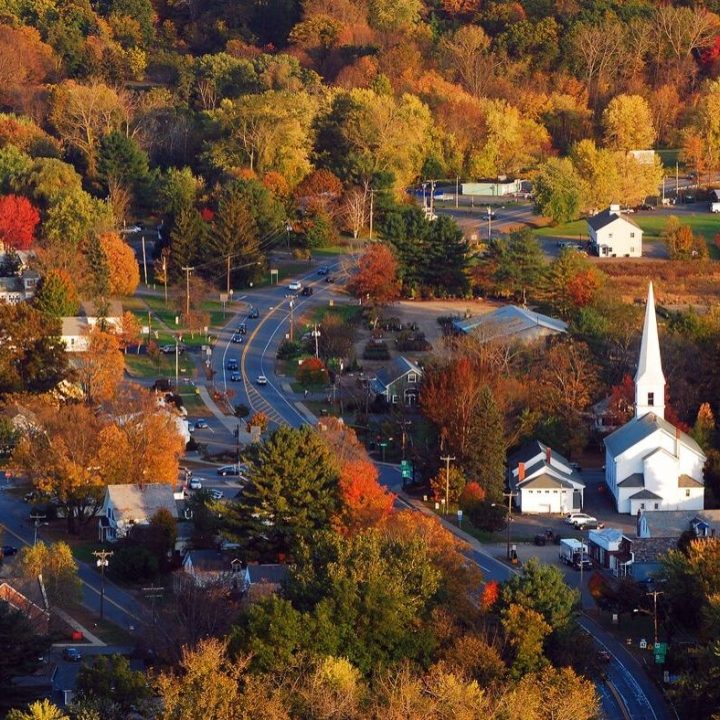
(545, 482)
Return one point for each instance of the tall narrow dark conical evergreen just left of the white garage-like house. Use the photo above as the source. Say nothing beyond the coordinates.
(486, 456)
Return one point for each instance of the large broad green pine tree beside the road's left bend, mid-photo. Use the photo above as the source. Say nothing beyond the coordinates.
(293, 491)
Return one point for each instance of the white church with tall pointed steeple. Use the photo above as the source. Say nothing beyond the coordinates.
(649, 463)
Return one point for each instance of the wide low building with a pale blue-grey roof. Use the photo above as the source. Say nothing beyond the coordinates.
(510, 323)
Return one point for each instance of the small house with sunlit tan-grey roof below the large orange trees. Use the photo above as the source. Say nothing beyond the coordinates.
(127, 505)
